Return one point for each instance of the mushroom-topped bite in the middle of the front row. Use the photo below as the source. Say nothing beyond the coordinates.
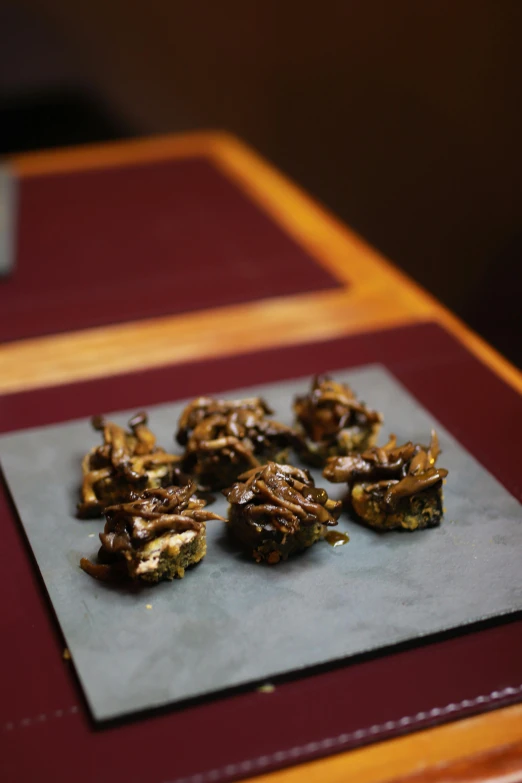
(276, 510)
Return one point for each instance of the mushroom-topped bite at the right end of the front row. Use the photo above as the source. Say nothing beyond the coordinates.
(393, 486)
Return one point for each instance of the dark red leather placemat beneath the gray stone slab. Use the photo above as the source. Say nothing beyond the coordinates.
(44, 722)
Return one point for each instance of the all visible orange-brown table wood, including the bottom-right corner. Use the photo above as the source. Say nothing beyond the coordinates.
(375, 295)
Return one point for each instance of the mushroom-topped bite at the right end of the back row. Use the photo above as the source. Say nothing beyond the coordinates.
(332, 422)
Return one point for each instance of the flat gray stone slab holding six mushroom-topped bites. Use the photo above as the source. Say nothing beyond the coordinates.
(231, 621)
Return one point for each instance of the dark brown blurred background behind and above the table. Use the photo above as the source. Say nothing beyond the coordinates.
(403, 116)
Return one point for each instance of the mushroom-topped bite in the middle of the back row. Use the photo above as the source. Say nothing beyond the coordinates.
(223, 438)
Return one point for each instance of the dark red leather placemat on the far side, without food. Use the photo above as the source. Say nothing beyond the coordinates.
(119, 244)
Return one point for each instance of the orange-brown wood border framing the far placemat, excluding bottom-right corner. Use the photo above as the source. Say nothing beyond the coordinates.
(379, 295)
